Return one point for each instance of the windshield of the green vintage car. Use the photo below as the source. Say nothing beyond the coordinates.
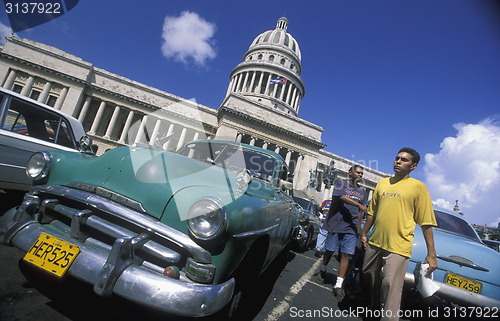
(232, 157)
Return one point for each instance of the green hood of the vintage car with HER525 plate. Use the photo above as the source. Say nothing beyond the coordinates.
(148, 176)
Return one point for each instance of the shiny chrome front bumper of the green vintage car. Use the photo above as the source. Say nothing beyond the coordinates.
(130, 281)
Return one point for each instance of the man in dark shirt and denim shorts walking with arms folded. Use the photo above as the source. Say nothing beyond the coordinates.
(343, 225)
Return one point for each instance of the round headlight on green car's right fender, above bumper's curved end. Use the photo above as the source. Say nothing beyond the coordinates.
(207, 218)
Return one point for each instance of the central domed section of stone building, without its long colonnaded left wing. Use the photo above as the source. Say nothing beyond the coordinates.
(262, 105)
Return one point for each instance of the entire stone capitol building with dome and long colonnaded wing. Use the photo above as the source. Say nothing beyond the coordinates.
(261, 106)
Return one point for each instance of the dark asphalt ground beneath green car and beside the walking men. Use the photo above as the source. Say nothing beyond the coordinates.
(287, 291)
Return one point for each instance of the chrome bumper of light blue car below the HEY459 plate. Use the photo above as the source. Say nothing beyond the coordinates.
(454, 294)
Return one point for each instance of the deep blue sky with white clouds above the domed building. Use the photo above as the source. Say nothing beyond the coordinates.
(379, 74)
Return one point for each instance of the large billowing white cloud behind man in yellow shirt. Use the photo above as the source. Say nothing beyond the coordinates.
(467, 169)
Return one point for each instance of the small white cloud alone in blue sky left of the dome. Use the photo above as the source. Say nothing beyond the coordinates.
(188, 38)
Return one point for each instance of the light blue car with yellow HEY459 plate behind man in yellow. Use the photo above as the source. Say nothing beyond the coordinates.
(468, 272)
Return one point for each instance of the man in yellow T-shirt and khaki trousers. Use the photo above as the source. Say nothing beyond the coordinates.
(398, 204)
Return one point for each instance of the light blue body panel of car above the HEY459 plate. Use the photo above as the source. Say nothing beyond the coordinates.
(460, 254)
